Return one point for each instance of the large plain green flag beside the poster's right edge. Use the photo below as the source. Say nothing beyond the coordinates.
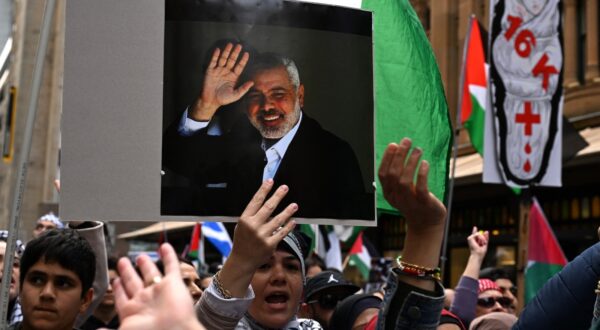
(409, 94)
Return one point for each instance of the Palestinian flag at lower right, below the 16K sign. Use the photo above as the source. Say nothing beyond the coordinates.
(544, 256)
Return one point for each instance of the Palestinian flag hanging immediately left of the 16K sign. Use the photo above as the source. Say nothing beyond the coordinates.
(474, 87)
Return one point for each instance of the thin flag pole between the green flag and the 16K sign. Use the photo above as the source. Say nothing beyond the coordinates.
(458, 126)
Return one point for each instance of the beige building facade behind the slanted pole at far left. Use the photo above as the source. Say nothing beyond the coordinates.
(22, 19)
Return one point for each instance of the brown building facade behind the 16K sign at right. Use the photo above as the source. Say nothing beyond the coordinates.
(574, 209)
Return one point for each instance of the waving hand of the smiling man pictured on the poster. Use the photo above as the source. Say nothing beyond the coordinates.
(220, 80)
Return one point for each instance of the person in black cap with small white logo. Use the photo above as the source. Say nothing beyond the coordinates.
(323, 293)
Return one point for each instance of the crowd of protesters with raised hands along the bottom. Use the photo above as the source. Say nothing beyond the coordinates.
(62, 279)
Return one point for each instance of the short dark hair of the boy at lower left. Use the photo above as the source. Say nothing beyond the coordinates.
(65, 247)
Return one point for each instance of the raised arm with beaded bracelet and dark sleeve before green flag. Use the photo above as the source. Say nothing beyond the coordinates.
(412, 290)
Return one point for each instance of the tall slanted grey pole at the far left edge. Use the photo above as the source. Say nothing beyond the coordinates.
(13, 227)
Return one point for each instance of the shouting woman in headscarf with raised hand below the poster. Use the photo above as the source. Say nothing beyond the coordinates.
(261, 284)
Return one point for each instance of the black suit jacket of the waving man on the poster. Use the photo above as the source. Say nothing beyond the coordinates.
(225, 171)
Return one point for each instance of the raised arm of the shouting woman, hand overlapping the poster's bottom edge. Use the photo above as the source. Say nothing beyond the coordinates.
(255, 239)
